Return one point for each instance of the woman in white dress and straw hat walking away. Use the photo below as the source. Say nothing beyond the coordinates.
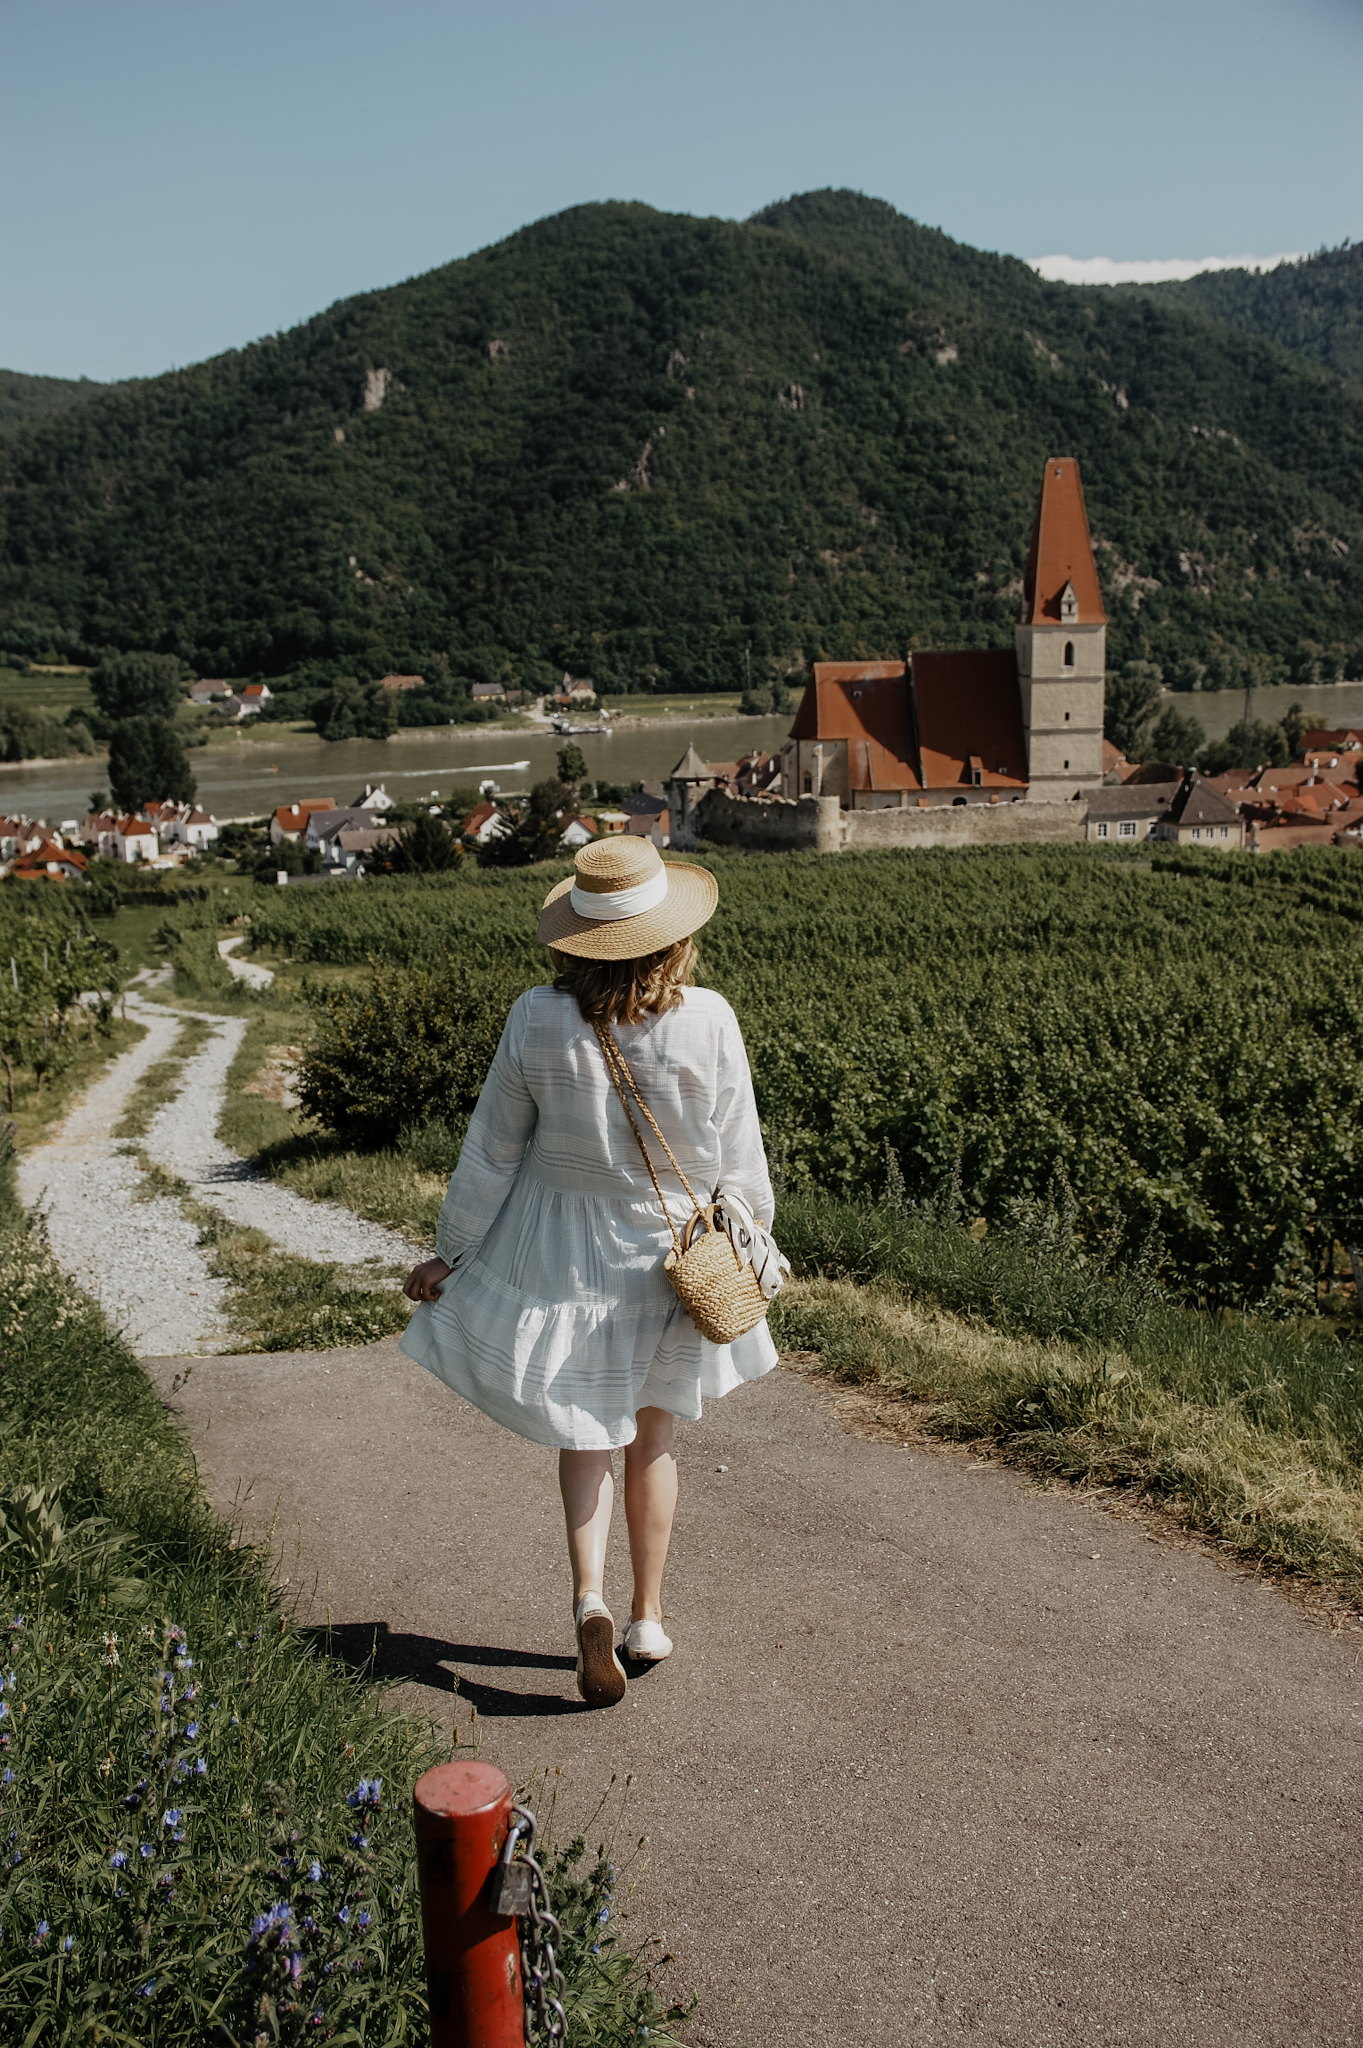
(547, 1306)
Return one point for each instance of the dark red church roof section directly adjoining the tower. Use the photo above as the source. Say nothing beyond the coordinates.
(969, 706)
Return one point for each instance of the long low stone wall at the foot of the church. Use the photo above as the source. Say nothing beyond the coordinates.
(820, 824)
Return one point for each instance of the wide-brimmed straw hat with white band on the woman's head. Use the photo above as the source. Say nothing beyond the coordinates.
(627, 902)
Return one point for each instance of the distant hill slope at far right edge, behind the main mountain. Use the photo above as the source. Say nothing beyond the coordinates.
(1313, 308)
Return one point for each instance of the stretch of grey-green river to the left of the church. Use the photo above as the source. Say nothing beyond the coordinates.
(251, 775)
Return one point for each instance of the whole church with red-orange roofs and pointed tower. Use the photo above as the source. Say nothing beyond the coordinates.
(973, 726)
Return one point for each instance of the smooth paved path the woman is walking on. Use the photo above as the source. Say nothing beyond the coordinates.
(936, 1758)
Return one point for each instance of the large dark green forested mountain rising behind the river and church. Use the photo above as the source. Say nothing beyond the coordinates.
(640, 445)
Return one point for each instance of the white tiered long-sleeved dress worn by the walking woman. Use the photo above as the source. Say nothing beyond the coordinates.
(558, 1320)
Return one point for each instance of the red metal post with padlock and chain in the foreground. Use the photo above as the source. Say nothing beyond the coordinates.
(464, 1814)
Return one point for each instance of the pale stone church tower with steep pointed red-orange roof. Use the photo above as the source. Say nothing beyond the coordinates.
(1063, 644)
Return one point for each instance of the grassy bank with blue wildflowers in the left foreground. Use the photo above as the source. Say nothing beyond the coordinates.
(181, 1760)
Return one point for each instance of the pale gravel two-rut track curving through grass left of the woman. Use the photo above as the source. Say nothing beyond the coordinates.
(140, 1258)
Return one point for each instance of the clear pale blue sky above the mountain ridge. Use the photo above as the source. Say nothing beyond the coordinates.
(181, 179)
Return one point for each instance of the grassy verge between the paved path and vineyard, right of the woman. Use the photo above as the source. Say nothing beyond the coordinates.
(1075, 1365)
